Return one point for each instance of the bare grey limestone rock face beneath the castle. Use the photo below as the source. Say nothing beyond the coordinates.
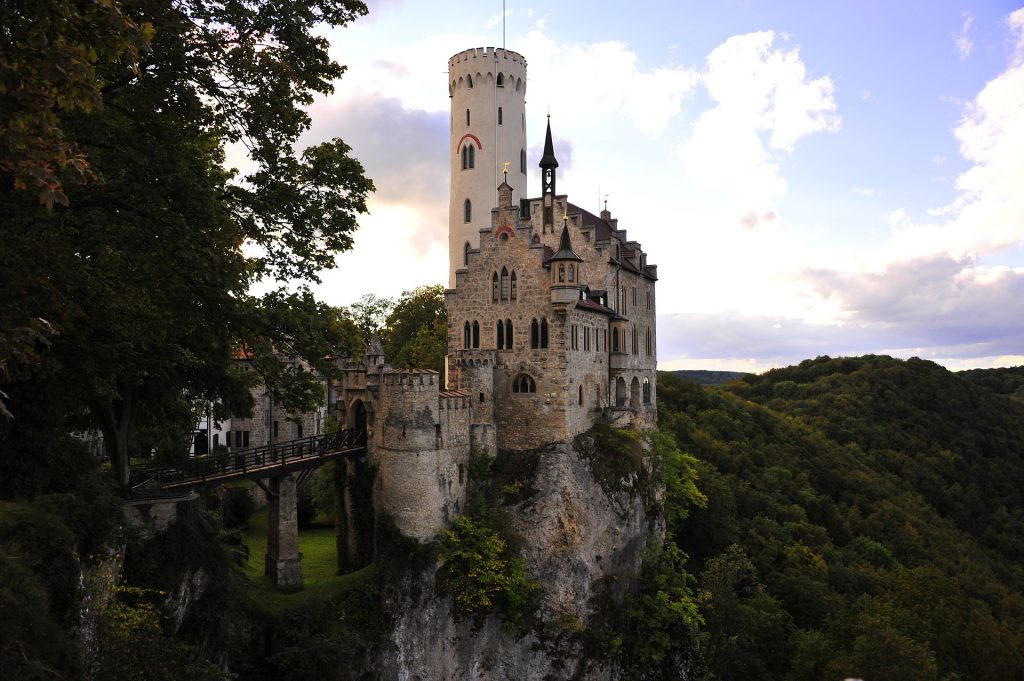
(582, 544)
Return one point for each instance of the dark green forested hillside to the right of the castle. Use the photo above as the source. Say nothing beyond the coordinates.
(864, 520)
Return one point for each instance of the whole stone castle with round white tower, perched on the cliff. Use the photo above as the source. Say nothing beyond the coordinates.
(550, 315)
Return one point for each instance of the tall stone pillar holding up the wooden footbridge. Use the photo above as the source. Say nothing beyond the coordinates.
(282, 564)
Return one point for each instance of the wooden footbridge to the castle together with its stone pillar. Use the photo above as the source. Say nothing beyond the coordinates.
(273, 467)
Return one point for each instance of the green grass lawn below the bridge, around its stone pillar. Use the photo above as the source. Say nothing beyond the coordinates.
(319, 565)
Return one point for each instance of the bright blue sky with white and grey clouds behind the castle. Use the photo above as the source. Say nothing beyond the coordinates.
(812, 179)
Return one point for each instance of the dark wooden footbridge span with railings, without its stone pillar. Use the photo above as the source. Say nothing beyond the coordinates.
(240, 463)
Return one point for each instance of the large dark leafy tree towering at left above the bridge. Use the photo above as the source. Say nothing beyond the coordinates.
(142, 275)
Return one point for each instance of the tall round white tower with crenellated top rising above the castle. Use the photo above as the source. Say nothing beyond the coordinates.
(488, 88)
